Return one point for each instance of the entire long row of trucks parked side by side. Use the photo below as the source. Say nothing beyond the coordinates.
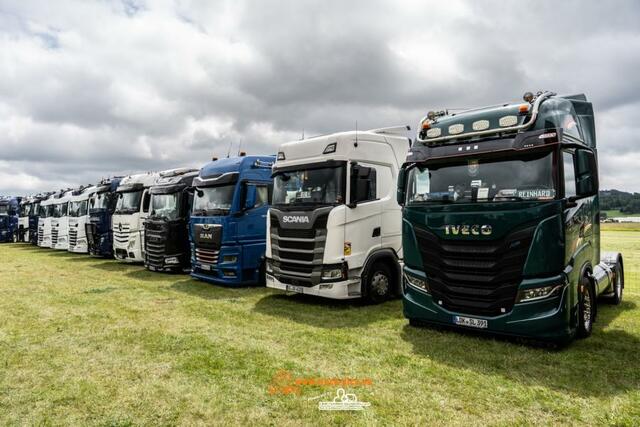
(489, 220)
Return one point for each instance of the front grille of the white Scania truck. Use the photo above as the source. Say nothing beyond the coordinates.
(297, 253)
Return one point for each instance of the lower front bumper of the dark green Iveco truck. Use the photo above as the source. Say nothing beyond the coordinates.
(547, 319)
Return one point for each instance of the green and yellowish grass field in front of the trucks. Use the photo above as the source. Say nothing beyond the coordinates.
(87, 341)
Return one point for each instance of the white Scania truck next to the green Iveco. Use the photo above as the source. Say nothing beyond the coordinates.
(334, 227)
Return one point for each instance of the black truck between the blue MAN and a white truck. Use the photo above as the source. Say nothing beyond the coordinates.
(167, 228)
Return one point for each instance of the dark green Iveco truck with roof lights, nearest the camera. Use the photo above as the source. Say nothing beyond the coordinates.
(501, 226)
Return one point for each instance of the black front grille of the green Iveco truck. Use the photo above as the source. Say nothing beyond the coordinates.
(478, 277)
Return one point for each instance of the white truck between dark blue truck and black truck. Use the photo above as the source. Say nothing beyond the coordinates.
(132, 209)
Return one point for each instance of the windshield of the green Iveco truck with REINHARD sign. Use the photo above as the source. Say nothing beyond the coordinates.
(477, 179)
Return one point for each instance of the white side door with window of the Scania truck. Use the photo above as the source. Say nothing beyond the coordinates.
(363, 215)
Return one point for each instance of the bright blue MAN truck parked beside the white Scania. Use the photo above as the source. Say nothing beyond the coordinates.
(228, 220)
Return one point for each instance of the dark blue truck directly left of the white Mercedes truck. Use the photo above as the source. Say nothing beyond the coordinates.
(102, 204)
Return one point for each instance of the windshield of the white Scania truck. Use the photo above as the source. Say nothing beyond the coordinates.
(321, 186)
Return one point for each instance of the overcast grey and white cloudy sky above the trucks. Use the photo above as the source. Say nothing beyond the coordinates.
(94, 88)
